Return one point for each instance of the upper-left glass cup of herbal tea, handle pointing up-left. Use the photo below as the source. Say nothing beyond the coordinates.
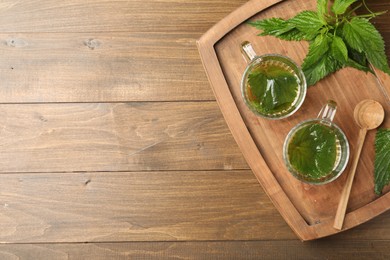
(272, 86)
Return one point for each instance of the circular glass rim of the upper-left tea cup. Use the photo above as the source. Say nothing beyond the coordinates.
(303, 85)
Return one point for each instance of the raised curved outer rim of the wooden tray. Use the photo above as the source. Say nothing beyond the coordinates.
(241, 134)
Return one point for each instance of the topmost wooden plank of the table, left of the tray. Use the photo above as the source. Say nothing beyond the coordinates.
(120, 15)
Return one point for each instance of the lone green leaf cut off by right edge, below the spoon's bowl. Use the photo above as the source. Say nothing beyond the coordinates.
(382, 159)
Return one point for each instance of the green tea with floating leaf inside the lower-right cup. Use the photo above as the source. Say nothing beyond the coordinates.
(314, 151)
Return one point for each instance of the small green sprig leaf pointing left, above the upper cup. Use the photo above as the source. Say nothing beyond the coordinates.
(307, 22)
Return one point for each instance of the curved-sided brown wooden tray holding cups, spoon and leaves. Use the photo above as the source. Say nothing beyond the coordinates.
(309, 210)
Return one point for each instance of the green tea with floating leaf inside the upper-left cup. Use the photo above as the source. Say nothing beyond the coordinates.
(272, 87)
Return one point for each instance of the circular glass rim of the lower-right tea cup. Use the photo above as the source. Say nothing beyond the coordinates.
(288, 138)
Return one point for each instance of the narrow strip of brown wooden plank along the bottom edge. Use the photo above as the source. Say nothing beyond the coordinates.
(366, 249)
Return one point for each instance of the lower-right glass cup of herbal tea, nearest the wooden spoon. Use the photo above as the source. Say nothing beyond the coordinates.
(316, 151)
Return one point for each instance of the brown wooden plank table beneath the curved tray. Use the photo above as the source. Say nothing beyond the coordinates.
(112, 144)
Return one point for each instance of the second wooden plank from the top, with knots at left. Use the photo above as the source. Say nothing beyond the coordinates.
(101, 67)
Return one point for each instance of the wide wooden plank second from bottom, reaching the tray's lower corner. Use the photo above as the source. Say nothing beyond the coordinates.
(136, 206)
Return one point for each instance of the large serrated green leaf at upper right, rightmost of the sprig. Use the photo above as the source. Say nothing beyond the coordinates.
(362, 36)
